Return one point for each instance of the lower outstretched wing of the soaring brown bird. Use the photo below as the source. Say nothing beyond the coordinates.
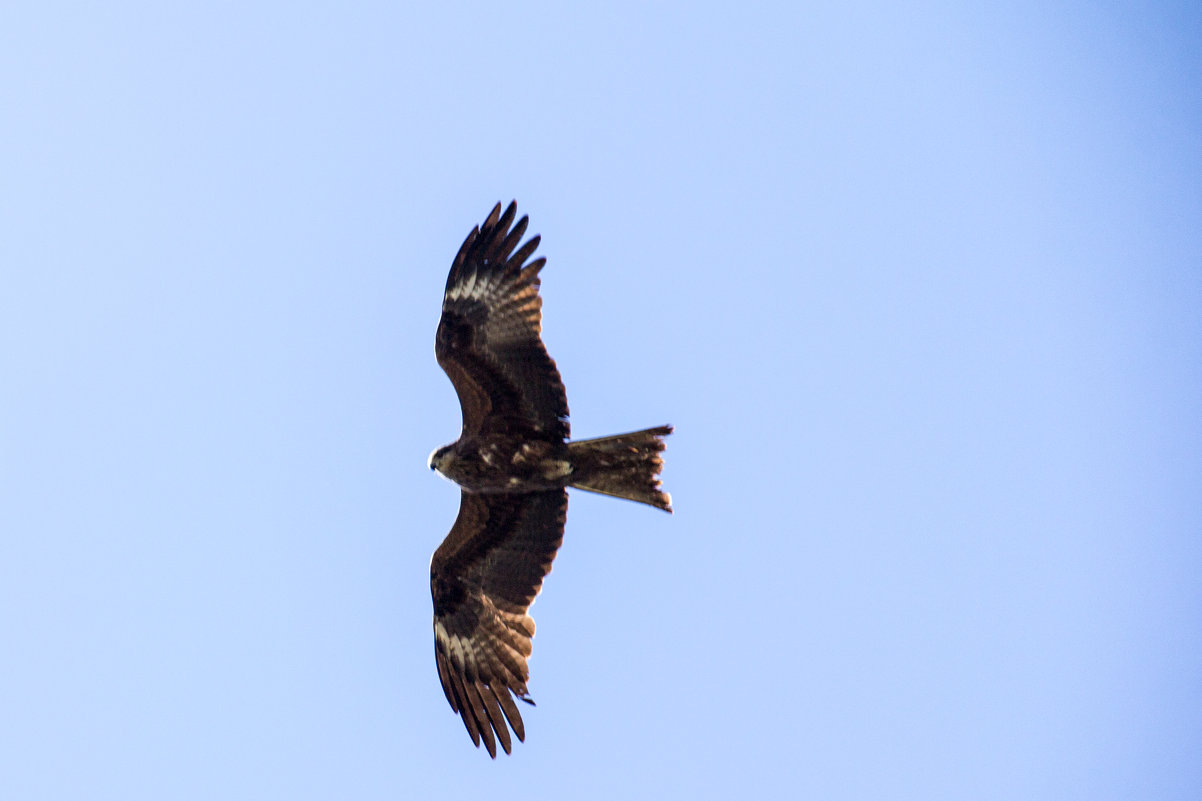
(484, 579)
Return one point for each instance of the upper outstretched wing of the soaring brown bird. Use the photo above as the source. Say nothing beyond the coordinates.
(489, 336)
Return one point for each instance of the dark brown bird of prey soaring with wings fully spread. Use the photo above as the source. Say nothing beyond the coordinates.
(514, 464)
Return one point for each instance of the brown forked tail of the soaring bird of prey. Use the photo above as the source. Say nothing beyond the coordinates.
(624, 466)
